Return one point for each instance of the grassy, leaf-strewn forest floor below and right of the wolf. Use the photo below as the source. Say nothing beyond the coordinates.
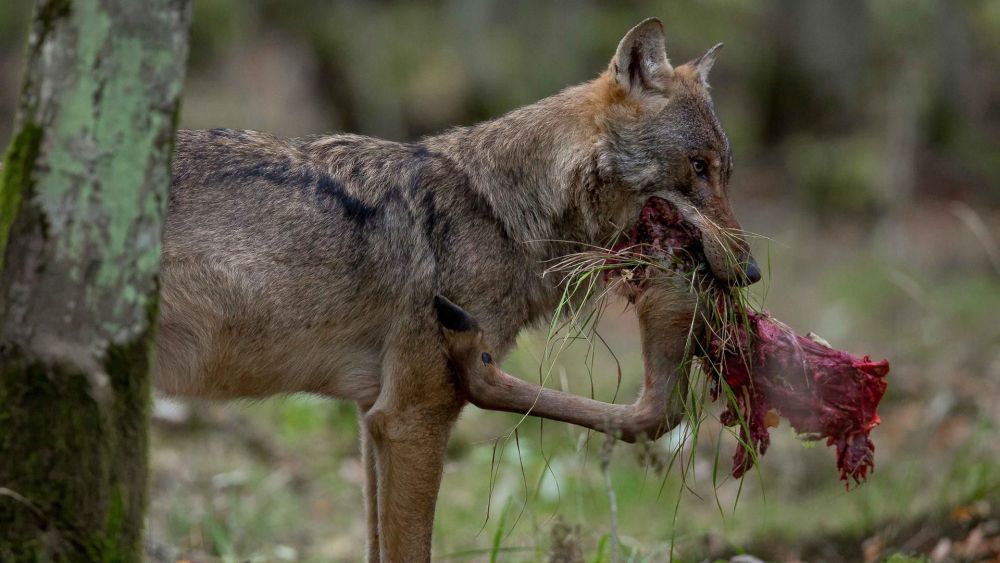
(279, 480)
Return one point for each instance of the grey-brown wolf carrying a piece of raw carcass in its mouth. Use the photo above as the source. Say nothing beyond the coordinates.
(332, 265)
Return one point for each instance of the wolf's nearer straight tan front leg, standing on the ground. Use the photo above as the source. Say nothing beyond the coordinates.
(409, 427)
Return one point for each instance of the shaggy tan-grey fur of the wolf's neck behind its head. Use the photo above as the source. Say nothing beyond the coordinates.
(532, 166)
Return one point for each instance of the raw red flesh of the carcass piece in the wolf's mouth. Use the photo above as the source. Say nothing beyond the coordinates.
(823, 392)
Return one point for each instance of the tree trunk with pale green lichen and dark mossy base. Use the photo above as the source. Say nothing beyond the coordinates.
(83, 193)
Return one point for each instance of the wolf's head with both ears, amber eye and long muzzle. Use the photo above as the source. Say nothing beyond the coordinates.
(659, 137)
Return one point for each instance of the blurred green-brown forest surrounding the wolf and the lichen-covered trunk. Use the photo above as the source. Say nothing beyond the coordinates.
(867, 142)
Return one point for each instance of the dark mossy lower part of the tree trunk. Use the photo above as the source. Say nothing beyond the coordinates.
(75, 491)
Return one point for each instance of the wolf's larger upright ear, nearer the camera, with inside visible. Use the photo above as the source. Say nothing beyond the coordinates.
(641, 60)
